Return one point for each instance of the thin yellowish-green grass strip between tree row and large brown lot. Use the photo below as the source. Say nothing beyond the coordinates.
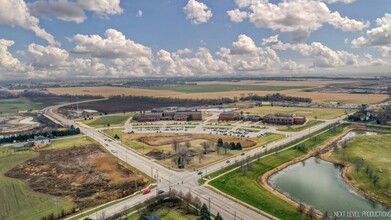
(68, 142)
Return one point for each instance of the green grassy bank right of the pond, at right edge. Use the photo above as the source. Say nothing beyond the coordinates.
(376, 154)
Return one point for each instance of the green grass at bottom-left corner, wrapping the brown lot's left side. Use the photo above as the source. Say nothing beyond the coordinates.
(18, 201)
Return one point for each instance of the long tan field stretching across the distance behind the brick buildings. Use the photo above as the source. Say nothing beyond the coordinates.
(319, 97)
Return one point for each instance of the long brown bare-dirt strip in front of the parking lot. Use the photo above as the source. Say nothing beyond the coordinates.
(164, 139)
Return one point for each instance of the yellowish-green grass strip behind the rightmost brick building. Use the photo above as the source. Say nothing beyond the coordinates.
(321, 113)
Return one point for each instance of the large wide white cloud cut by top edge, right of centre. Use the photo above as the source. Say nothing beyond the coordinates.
(299, 18)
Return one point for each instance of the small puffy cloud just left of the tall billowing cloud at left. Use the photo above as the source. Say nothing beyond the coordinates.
(47, 57)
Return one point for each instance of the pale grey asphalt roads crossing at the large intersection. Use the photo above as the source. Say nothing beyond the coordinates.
(184, 181)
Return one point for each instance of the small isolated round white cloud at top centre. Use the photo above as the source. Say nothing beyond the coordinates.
(197, 12)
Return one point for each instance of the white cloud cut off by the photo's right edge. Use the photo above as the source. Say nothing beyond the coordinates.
(379, 37)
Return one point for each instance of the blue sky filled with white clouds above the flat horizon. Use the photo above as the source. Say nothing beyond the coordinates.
(124, 38)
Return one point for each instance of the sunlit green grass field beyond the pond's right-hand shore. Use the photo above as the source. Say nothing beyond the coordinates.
(376, 152)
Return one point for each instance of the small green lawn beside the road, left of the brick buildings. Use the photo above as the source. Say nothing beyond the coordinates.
(113, 120)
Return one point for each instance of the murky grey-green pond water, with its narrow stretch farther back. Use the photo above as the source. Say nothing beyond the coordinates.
(319, 184)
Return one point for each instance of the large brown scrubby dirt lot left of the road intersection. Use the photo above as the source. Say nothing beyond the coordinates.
(86, 174)
